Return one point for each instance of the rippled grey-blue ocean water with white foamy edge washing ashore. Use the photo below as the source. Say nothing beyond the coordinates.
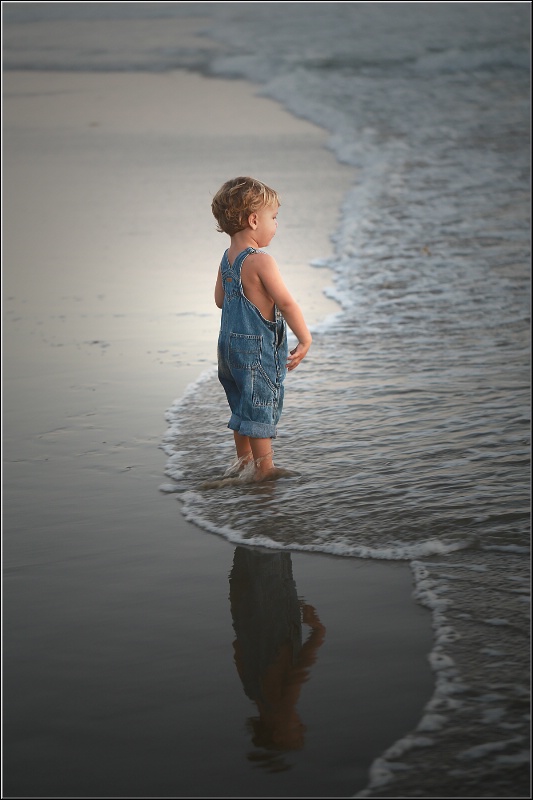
(408, 424)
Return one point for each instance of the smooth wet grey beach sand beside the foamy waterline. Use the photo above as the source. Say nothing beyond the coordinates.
(119, 671)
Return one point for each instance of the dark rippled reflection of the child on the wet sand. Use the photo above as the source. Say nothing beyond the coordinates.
(271, 660)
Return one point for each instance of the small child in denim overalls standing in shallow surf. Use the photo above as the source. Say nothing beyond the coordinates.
(255, 303)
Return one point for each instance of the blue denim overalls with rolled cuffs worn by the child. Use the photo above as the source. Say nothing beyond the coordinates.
(252, 357)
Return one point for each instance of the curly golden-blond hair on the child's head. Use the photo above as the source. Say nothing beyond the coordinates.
(237, 199)
